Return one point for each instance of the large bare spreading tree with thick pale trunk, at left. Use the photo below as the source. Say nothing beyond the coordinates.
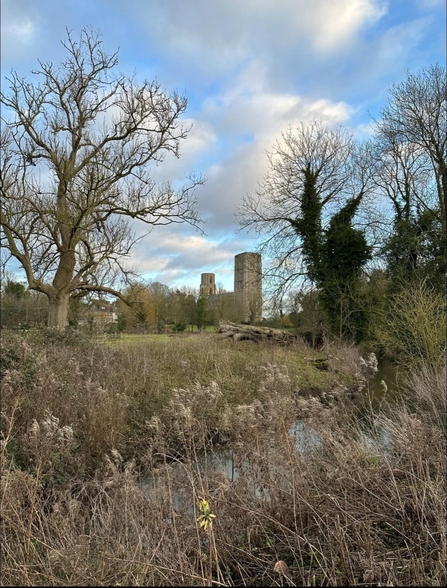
(76, 152)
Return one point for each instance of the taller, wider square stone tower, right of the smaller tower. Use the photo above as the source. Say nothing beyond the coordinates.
(248, 286)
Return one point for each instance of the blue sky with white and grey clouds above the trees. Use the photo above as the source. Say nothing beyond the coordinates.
(251, 69)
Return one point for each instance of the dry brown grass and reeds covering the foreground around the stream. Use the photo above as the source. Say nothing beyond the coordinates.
(84, 423)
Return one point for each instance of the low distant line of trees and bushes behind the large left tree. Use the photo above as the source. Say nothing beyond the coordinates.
(150, 307)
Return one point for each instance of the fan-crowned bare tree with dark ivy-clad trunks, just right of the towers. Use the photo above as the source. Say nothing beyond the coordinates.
(305, 211)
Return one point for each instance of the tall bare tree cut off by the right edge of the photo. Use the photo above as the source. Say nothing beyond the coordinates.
(412, 145)
